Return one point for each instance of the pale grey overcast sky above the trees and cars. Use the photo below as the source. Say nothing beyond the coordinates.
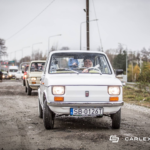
(119, 21)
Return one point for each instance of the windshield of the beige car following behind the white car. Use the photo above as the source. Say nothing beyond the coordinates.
(37, 66)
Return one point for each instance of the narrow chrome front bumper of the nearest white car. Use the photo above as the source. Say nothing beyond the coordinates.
(85, 104)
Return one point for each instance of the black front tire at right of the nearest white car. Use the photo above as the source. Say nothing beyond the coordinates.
(116, 120)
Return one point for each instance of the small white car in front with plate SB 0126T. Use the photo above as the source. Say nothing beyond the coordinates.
(71, 89)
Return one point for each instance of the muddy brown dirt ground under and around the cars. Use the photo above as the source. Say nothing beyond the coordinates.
(22, 129)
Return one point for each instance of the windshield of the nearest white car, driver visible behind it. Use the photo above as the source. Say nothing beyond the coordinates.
(79, 63)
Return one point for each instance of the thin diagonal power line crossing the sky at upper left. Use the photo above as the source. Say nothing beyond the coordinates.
(31, 20)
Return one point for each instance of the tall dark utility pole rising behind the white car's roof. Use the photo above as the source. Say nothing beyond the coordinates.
(87, 26)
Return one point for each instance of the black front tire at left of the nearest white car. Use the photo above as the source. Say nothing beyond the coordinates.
(48, 118)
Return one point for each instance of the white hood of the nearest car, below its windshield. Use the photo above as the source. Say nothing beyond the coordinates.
(81, 80)
